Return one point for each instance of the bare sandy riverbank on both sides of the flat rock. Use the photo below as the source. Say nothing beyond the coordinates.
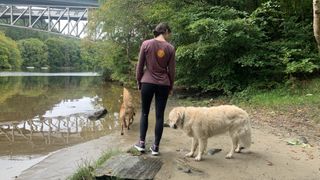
(269, 157)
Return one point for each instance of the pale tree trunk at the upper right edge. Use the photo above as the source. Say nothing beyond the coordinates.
(316, 21)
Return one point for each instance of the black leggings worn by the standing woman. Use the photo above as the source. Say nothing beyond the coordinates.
(161, 94)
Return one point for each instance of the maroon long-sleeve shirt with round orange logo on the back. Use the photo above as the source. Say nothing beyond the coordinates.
(159, 59)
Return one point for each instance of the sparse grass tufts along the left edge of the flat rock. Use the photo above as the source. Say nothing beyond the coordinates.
(85, 170)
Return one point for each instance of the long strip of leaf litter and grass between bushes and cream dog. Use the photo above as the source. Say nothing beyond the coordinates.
(295, 97)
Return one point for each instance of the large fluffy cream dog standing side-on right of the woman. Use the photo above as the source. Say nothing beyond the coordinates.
(200, 123)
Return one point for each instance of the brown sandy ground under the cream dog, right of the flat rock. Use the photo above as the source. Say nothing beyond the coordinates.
(269, 157)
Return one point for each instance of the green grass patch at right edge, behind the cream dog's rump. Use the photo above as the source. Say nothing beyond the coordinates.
(300, 96)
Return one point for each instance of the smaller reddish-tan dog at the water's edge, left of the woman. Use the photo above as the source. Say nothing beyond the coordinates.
(127, 110)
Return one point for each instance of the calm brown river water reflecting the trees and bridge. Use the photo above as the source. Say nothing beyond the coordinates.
(44, 112)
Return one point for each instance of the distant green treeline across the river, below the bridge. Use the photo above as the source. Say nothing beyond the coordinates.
(21, 48)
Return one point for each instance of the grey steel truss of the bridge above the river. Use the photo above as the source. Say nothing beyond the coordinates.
(70, 21)
